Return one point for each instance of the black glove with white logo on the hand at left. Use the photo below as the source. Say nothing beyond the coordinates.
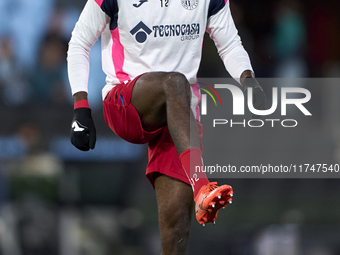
(83, 131)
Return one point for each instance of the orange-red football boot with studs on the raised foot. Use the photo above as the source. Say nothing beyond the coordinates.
(210, 199)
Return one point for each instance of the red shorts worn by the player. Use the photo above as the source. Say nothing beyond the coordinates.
(122, 117)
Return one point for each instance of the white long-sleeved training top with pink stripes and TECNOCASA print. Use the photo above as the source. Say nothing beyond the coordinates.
(141, 36)
